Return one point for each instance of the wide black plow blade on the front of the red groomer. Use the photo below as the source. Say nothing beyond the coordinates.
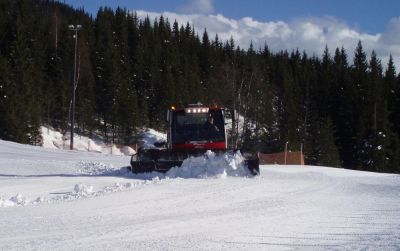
(155, 160)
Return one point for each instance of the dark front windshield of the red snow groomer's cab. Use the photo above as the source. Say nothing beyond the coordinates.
(187, 127)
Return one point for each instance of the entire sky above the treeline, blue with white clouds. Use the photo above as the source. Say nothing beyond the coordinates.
(307, 25)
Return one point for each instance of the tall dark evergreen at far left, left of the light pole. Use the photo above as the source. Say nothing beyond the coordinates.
(24, 107)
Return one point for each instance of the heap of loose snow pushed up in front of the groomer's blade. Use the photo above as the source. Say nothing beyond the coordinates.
(211, 165)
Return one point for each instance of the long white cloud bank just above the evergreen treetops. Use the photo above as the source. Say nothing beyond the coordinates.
(309, 34)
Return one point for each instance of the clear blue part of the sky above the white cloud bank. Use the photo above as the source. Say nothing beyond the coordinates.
(367, 15)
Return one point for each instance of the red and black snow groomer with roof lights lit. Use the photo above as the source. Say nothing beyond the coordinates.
(191, 132)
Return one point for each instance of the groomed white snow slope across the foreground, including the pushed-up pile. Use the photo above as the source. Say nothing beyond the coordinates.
(67, 200)
